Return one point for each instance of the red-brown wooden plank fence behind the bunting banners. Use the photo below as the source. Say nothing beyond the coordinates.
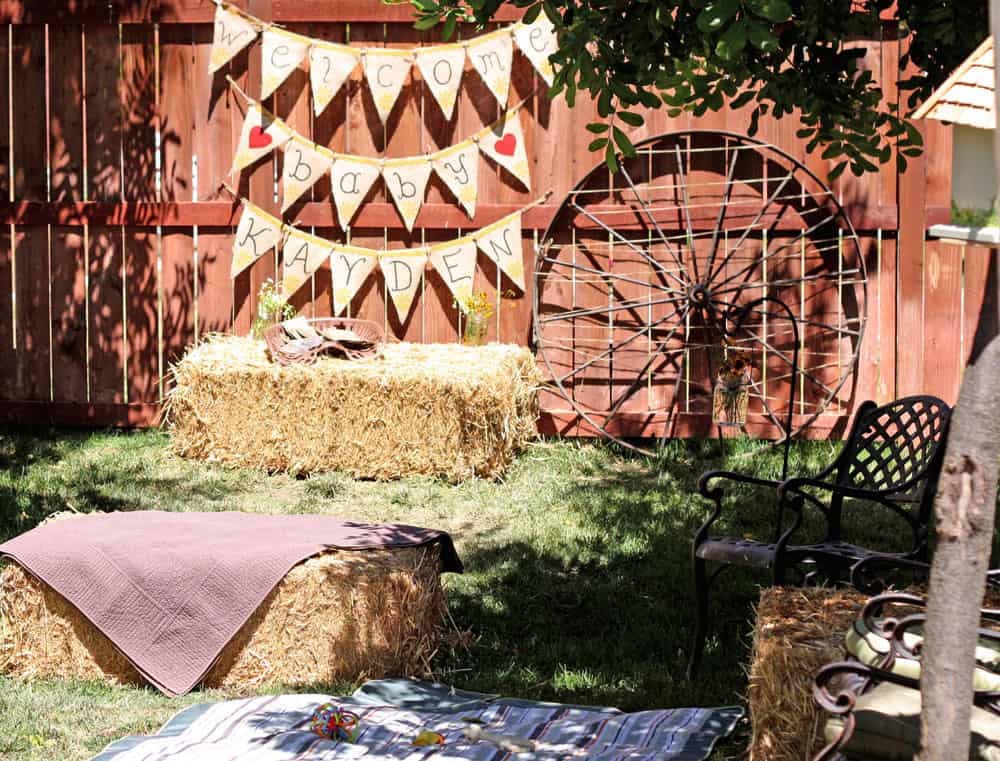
(115, 245)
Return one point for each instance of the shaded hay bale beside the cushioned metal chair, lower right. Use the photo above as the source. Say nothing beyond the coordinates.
(798, 631)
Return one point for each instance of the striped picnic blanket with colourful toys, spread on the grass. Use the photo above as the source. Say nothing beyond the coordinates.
(276, 728)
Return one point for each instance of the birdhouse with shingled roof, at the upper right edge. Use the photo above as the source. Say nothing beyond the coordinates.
(967, 100)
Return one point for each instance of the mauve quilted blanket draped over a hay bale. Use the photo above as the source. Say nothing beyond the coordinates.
(171, 589)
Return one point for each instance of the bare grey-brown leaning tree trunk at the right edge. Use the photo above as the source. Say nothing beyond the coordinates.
(964, 510)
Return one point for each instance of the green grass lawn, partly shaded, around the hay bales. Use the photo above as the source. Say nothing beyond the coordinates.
(577, 586)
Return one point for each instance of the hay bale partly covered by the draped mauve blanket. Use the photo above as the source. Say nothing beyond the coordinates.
(341, 615)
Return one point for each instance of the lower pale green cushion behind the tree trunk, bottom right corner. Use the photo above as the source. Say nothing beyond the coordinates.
(888, 727)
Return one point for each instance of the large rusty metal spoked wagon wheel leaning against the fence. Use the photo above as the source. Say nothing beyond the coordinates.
(639, 268)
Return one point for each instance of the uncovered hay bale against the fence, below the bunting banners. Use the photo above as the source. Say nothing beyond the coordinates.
(435, 409)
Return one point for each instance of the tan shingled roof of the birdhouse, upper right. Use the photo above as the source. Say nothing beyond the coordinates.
(967, 96)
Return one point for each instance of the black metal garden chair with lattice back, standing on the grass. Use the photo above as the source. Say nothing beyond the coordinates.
(892, 458)
